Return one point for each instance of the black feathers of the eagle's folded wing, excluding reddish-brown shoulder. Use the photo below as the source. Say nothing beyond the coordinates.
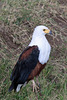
(24, 67)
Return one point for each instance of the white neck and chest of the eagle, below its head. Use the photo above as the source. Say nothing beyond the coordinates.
(44, 48)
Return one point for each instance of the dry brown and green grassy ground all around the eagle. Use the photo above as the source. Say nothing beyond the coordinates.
(18, 18)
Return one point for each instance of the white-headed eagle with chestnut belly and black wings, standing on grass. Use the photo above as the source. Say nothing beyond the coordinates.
(32, 60)
